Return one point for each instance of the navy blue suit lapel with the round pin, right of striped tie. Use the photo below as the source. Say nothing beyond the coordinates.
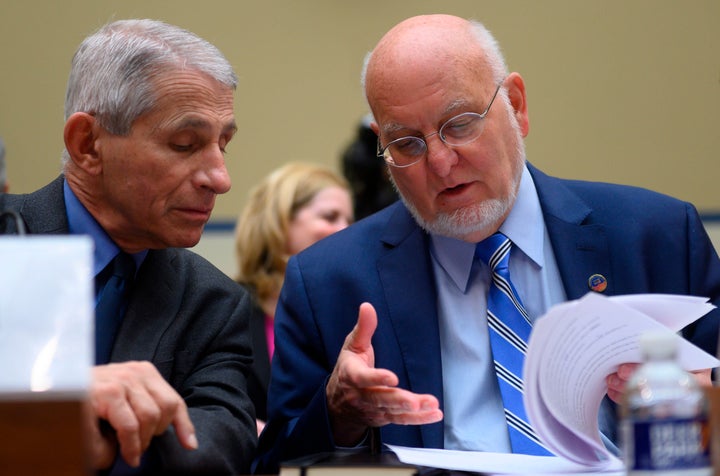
(581, 248)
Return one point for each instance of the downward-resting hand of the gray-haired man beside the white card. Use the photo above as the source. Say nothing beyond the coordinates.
(134, 399)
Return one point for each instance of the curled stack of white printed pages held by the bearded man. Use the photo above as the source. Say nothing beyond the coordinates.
(576, 345)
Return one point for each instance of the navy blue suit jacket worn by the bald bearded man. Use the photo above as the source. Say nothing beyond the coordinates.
(641, 241)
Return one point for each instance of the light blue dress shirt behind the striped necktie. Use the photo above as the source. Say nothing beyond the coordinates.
(474, 415)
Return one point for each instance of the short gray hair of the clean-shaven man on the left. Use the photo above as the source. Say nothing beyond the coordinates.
(114, 70)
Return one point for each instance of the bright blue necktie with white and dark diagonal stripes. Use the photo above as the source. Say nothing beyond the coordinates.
(509, 333)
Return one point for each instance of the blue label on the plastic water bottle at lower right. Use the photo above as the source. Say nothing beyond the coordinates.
(678, 443)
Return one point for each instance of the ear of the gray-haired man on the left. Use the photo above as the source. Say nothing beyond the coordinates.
(81, 133)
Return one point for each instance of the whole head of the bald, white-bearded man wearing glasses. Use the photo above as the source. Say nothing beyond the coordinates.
(433, 77)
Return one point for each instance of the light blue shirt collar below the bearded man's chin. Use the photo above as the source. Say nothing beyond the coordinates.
(524, 226)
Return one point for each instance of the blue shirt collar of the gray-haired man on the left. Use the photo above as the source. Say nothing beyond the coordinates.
(81, 222)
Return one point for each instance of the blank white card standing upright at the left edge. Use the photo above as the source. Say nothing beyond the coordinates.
(46, 314)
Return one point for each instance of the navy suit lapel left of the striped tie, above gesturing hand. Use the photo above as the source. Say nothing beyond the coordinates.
(407, 278)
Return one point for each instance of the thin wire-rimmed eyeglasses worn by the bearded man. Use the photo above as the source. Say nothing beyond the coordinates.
(456, 131)
